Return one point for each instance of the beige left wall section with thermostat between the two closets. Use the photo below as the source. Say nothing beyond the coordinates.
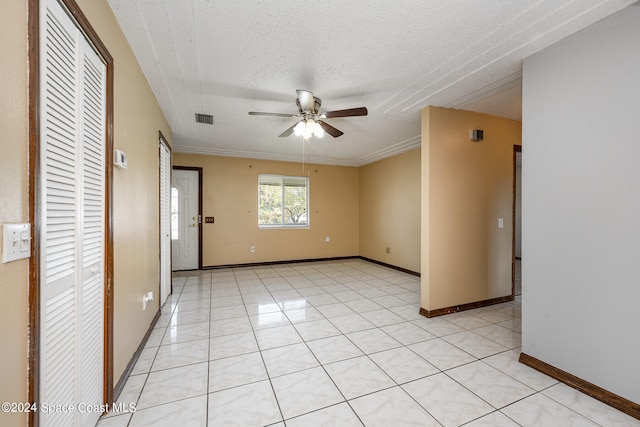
(137, 120)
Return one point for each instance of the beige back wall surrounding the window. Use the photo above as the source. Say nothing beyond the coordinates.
(230, 195)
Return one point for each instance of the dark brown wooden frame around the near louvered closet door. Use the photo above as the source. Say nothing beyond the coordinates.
(35, 214)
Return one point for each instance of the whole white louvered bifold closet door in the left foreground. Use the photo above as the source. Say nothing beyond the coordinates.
(72, 233)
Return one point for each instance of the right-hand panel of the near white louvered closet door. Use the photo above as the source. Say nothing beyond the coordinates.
(91, 295)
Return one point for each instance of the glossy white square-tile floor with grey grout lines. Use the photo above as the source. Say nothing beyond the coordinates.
(338, 344)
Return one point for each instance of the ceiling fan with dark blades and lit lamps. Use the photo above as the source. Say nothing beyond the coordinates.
(311, 121)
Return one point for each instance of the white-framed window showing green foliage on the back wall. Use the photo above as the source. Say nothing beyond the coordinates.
(283, 201)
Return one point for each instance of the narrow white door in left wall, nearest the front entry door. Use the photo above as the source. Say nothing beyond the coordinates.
(165, 224)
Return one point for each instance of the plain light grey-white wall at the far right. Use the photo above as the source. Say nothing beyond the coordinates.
(581, 204)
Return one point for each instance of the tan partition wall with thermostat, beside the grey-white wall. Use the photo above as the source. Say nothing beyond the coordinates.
(468, 185)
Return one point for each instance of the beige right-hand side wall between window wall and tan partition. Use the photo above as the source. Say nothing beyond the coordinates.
(390, 210)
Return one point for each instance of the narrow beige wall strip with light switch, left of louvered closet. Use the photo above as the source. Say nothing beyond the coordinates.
(14, 276)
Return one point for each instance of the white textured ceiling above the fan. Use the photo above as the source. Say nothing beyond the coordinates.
(229, 57)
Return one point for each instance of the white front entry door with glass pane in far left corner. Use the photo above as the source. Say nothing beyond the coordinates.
(185, 219)
